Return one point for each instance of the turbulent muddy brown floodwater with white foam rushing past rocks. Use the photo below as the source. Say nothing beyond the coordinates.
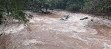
(49, 32)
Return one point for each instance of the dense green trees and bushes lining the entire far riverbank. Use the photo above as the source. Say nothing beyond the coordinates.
(15, 8)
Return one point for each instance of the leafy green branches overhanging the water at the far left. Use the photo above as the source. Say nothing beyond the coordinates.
(14, 8)
